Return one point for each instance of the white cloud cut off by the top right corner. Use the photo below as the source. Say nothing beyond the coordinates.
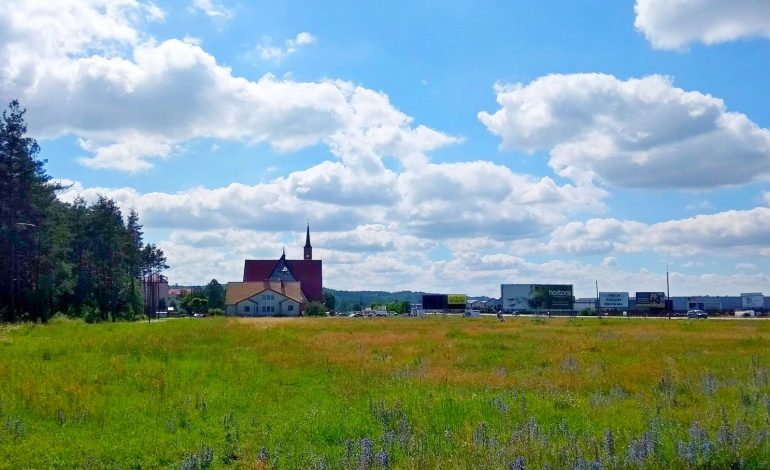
(674, 24)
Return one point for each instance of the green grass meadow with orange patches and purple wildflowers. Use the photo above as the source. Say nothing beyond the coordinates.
(386, 393)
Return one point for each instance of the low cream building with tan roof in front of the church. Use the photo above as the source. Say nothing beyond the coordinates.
(264, 299)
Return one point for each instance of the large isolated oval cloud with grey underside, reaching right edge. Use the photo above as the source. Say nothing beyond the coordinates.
(639, 133)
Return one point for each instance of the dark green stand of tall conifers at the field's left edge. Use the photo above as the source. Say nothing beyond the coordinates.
(80, 259)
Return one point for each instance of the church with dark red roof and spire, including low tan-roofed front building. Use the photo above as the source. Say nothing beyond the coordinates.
(281, 286)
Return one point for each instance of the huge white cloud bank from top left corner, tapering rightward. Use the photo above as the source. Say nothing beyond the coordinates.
(130, 98)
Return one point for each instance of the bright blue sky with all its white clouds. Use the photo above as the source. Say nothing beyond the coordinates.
(435, 146)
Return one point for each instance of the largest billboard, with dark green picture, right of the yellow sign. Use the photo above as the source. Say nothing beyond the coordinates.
(516, 297)
